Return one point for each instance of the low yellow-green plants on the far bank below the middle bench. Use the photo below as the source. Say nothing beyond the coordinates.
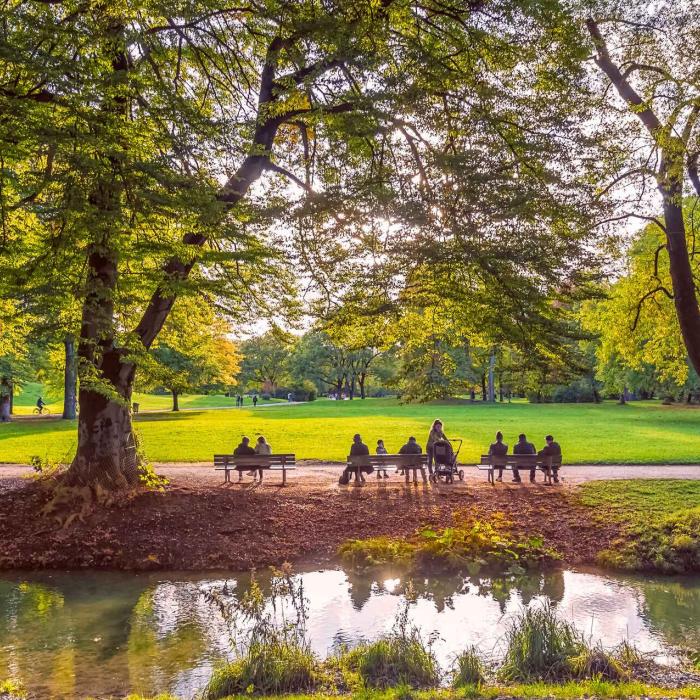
(487, 544)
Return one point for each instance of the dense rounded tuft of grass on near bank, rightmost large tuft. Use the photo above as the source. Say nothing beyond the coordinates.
(540, 646)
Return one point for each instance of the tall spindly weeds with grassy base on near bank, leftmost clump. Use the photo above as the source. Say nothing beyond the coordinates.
(273, 653)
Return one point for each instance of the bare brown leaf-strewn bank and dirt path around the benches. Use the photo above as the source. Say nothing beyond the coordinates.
(198, 523)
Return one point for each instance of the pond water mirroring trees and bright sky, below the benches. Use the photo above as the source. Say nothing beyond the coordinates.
(68, 635)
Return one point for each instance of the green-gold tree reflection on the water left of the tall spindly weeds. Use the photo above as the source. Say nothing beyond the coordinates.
(104, 633)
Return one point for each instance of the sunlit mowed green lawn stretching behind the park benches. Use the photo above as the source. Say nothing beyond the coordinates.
(641, 432)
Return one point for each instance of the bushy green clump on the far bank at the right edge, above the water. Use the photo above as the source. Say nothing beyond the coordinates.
(670, 545)
